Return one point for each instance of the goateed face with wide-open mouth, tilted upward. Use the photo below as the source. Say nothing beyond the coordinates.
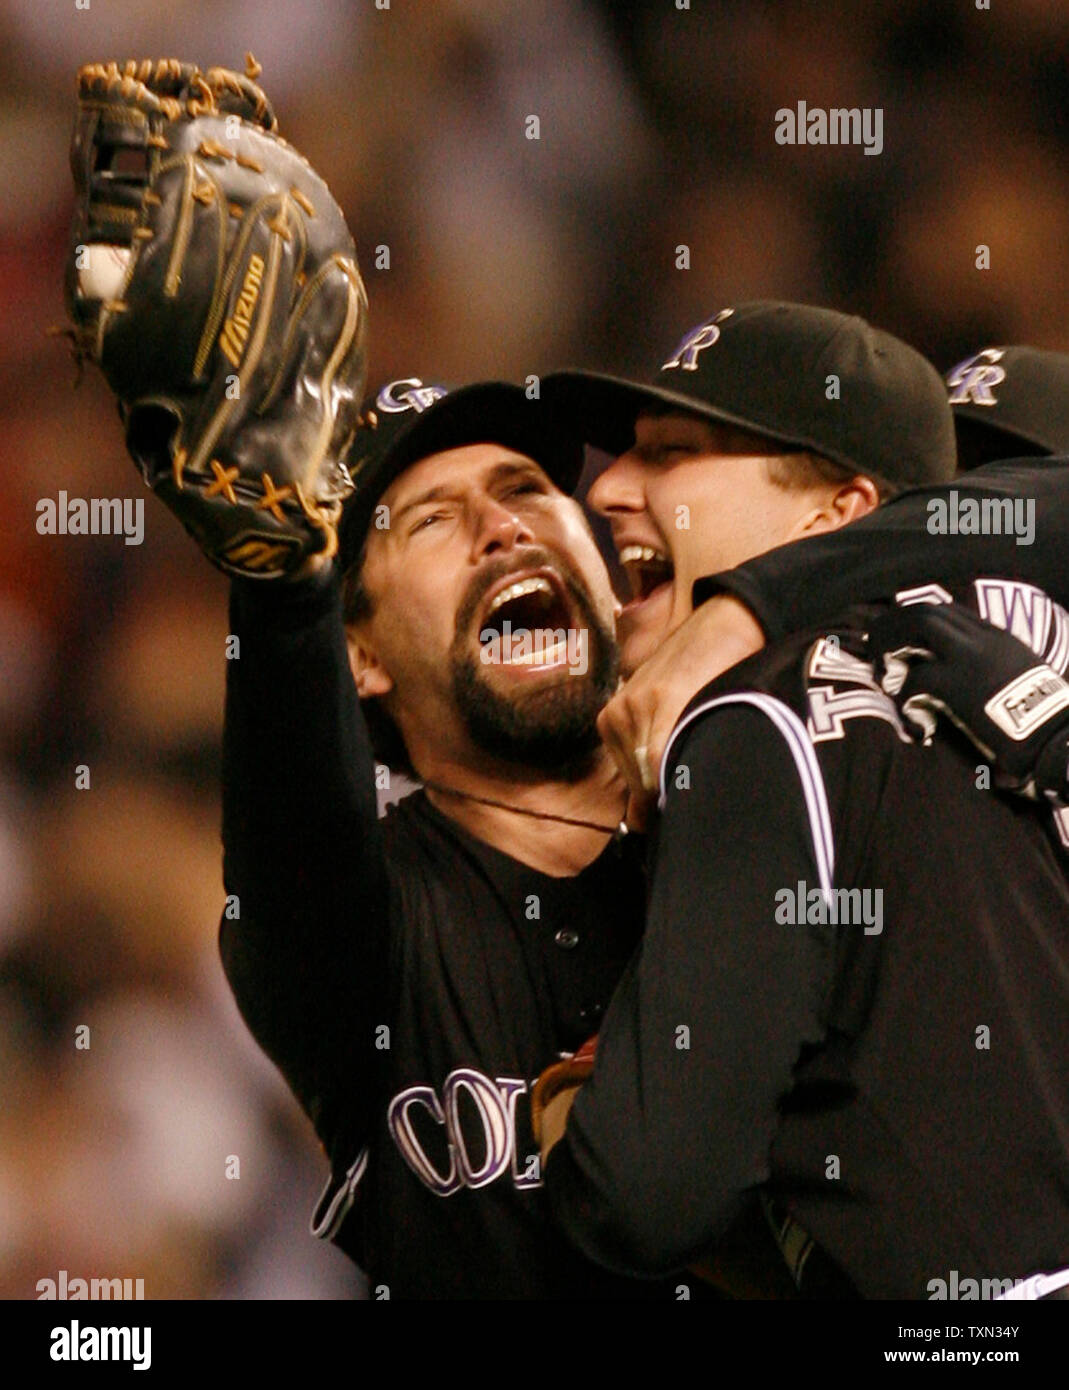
(490, 623)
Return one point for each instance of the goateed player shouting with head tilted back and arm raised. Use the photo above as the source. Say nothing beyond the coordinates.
(412, 978)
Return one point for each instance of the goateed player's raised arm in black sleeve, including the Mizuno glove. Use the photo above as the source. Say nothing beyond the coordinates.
(213, 280)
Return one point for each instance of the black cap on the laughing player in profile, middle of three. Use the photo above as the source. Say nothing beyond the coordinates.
(768, 368)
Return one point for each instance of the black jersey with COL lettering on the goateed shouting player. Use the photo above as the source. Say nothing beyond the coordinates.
(409, 981)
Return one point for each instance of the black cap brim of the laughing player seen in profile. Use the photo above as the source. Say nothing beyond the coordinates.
(603, 409)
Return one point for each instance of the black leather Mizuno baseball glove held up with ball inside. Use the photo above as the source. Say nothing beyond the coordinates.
(215, 281)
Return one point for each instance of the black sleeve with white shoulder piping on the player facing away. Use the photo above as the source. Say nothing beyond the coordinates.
(674, 1129)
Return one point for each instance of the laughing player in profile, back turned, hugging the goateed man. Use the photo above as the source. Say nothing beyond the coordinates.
(824, 1008)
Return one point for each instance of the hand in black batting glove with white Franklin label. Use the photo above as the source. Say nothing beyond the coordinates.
(945, 661)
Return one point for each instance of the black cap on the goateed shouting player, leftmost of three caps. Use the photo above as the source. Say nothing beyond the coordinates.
(408, 420)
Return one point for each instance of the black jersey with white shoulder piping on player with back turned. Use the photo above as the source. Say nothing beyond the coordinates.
(853, 995)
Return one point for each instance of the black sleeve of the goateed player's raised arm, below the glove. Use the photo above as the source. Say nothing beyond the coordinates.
(305, 932)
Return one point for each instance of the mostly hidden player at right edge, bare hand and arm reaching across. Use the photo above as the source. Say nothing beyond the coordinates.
(1009, 404)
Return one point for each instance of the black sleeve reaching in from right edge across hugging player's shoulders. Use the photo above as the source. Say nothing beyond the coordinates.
(901, 546)
